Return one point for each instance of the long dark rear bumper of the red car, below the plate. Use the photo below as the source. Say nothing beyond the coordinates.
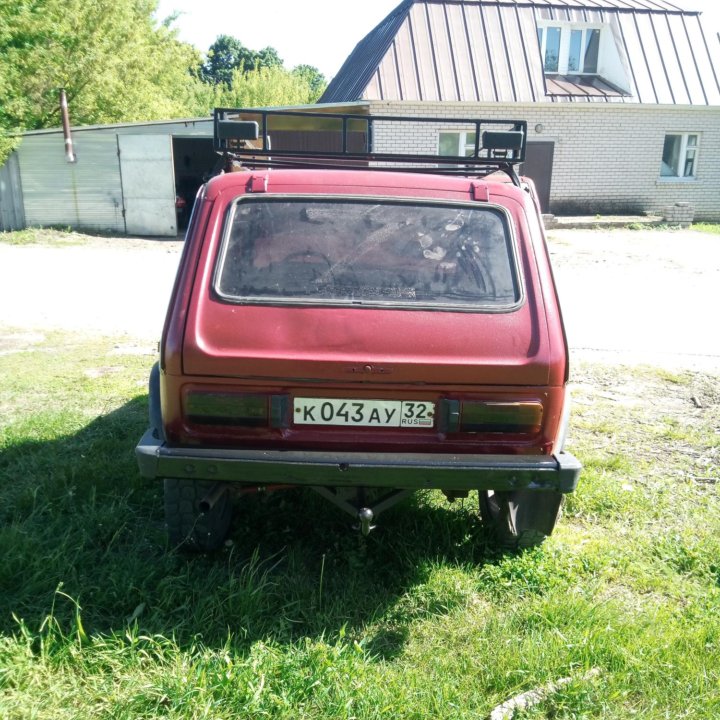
(412, 471)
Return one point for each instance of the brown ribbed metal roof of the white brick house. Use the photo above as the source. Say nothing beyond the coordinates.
(488, 51)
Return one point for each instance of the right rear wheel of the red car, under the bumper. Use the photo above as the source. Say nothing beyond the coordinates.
(520, 518)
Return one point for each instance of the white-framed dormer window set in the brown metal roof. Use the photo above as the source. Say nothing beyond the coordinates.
(569, 49)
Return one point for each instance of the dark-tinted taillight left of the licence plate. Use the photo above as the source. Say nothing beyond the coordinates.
(216, 408)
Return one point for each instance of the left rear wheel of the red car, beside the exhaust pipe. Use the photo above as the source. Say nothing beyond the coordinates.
(190, 525)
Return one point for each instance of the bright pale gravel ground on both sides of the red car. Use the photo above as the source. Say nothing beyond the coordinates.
(628, 297)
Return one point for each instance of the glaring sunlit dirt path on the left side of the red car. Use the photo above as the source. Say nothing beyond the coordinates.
(108, 286)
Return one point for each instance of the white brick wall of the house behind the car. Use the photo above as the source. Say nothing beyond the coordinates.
(607, 157)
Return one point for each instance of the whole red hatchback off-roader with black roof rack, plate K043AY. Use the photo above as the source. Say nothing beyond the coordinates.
(362, 332)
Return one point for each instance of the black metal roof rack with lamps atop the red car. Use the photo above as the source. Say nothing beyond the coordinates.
(299, 139)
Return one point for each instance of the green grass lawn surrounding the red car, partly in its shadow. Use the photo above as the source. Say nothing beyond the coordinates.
(299, 617)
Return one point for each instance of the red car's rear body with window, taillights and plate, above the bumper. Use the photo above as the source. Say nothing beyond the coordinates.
(409, 331)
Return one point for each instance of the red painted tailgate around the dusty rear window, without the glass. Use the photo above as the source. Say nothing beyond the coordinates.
(502, 344)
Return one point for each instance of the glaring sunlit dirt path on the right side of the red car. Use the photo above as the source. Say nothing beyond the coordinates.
(646, 297)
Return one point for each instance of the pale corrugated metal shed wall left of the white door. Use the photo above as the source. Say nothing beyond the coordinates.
(84, 194)
